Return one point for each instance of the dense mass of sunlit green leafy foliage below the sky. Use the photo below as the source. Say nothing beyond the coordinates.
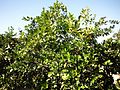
(59, 52)
